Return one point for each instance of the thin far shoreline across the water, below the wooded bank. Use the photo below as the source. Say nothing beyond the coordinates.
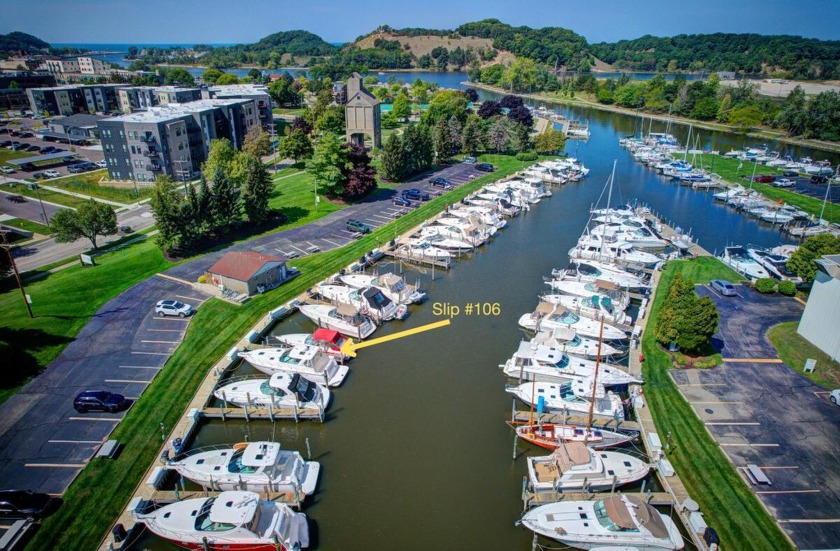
(764, 134)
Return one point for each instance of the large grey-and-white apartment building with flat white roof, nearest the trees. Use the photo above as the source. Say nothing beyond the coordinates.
(172, 139)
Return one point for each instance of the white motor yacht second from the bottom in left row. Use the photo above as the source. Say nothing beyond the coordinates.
(254, 466)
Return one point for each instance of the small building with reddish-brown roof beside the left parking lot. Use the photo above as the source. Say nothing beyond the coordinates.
(248, 272)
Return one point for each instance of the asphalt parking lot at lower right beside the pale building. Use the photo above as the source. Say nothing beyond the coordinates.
(763, 413)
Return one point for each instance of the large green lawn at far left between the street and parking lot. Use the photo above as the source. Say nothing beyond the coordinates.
(63, 303)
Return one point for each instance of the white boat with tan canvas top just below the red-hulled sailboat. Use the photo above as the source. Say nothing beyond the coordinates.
(574, 467)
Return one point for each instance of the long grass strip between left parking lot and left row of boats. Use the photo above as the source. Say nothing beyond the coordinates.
(85, 517)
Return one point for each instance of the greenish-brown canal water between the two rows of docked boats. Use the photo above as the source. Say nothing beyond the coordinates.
(416, 453)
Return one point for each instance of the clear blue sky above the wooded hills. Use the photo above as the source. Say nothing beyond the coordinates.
(245, 21)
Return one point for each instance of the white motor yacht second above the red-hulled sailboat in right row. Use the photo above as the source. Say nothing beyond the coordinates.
(549, 364)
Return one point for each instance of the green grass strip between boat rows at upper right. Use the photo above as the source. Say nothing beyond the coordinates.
(728, 170)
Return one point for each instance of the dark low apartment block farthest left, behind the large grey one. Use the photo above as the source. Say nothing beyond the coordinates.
(72, 99)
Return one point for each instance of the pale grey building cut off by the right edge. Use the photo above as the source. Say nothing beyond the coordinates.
(821, 318)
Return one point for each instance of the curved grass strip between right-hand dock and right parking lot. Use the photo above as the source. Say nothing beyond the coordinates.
(728, 505)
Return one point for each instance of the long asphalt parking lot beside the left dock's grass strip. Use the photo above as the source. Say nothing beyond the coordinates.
(44, 443)
